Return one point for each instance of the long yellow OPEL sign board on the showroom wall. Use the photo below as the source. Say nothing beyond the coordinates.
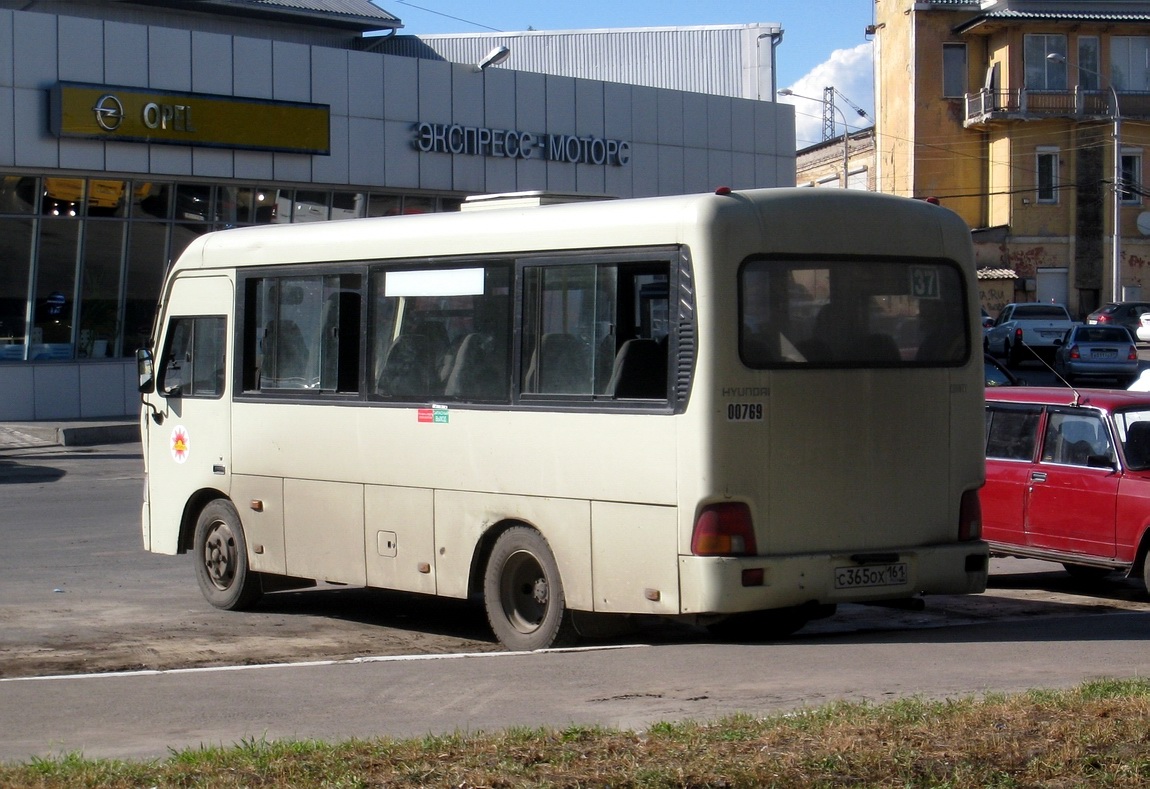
(135, 116)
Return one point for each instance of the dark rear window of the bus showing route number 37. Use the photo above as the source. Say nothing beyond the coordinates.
(862, 313)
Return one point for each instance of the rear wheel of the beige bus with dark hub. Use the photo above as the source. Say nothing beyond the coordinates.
(524, 595)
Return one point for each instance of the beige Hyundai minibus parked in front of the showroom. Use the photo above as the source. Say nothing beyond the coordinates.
(740, 409)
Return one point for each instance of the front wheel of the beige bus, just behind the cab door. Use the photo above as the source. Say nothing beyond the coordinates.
(223, 570)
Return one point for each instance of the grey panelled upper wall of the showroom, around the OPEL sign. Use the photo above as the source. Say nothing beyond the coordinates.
(375, 102)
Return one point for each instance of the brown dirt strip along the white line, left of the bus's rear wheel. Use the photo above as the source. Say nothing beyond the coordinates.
(331, 625)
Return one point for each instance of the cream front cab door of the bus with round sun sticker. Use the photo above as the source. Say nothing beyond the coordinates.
(189, 418)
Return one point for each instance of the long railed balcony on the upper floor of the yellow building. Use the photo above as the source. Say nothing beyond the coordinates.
(987, 108)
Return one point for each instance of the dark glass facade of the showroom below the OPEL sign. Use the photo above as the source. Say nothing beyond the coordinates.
(82, 261)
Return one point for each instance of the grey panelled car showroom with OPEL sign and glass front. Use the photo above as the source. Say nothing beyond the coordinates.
(127, 129)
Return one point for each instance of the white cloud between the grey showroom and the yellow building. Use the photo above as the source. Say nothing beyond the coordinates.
(850, 72)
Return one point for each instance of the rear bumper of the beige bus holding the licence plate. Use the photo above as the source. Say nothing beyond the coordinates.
(733, 585)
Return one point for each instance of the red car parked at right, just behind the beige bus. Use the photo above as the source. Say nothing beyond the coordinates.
(1069, 478)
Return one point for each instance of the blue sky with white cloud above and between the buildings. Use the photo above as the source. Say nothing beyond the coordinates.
(824, 41)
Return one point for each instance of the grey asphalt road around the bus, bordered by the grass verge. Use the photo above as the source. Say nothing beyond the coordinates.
(111, 652)
